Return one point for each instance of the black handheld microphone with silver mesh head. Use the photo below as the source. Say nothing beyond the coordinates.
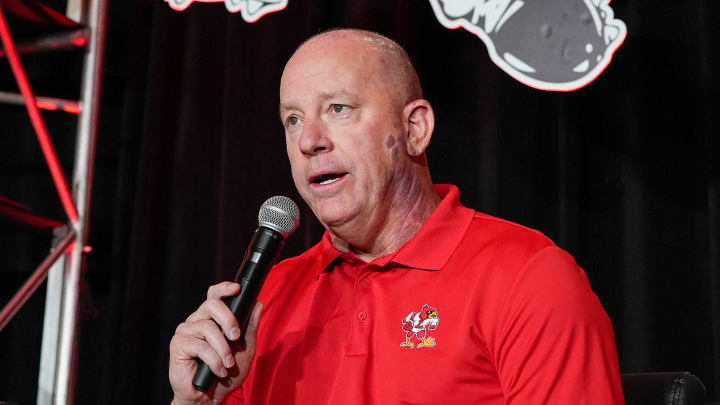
(278, 218)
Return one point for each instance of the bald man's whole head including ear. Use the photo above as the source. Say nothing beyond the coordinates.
(356, 128)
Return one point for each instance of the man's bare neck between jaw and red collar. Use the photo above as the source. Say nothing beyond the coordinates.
(410, 207)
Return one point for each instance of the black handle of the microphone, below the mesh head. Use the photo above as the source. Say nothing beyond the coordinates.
(261, 255)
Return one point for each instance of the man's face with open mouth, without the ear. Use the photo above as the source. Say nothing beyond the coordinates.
(343, 130)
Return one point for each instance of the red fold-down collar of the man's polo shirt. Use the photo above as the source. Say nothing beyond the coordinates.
(431, 246)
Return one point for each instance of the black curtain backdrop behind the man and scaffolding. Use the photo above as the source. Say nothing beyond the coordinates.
(622, 173)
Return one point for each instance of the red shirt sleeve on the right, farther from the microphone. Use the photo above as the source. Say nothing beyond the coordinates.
(553, 342)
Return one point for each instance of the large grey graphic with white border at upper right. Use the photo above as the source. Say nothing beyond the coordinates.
(558, 45)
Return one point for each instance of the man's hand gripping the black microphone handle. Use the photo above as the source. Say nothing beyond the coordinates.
(201, 336)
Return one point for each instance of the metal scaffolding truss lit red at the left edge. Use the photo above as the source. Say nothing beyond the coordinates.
(65, 262)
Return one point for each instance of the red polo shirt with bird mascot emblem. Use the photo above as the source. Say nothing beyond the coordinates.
(472, 310)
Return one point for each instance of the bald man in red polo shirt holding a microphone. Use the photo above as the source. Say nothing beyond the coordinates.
(409, 297)
